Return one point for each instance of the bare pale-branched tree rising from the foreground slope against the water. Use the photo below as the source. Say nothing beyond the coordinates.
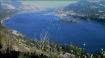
(43, 43)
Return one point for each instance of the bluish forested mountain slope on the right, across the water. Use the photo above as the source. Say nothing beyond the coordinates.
(92, 11)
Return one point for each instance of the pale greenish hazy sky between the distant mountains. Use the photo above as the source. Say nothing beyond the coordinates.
(50, 4)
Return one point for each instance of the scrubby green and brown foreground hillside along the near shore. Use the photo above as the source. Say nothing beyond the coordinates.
(13, 46)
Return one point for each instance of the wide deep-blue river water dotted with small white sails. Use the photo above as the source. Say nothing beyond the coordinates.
(29, 24)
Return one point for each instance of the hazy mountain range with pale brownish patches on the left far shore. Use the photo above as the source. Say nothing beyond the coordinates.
(8, 8)
